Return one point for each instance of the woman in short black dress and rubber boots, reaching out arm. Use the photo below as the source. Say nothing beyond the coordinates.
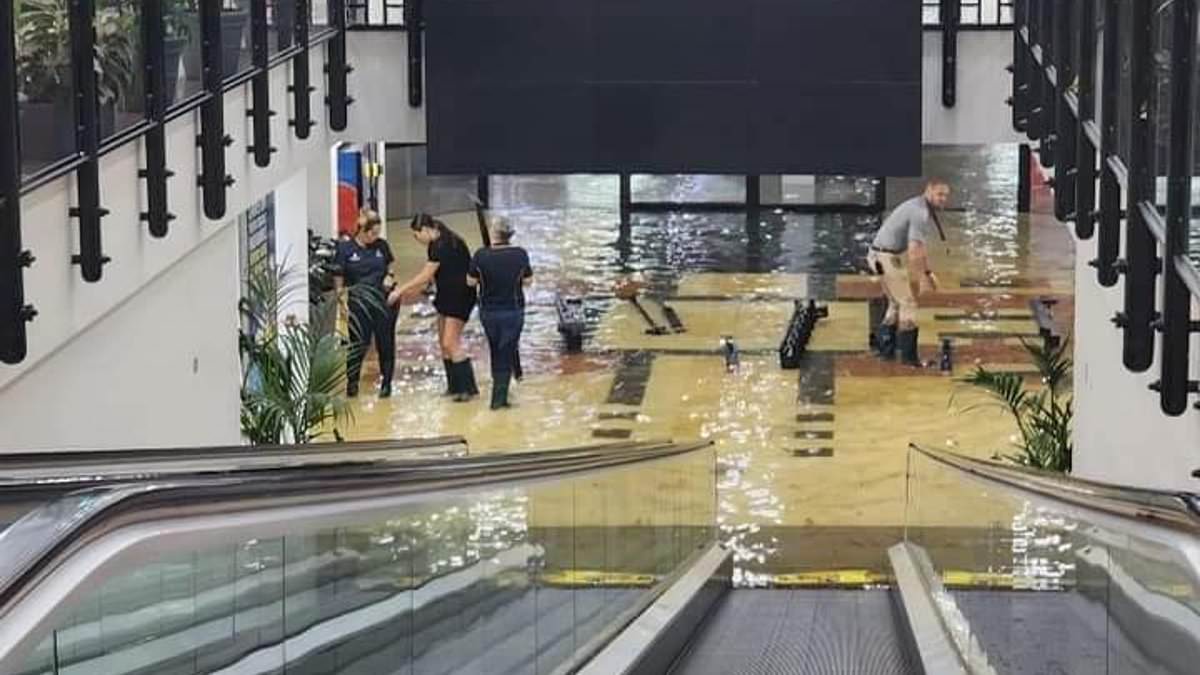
(447, 261)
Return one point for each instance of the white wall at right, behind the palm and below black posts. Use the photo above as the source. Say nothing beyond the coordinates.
(1121, 434)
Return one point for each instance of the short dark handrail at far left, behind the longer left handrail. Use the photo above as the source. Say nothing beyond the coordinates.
(10, 462)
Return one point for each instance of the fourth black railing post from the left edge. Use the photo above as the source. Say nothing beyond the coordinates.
(213, 141)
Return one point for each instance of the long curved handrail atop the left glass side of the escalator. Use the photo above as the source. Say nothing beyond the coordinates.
(100, 511)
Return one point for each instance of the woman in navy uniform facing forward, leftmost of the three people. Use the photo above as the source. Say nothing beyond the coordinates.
(365, 268)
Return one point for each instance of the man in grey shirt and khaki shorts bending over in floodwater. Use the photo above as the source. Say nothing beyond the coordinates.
(899, 254)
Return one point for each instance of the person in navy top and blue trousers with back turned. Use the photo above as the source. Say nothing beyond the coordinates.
(502, 272)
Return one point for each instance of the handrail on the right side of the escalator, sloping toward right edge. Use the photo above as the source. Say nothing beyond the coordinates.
(1175, 510)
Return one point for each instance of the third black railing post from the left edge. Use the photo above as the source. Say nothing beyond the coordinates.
(158, 216)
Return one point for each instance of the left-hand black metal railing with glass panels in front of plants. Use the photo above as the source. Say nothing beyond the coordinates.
(135, 67)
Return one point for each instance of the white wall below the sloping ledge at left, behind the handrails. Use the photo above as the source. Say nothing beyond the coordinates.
(159, 371)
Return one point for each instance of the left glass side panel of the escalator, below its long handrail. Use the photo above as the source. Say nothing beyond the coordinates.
(511, 580)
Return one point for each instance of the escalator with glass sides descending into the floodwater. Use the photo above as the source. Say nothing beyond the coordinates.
(597, 560)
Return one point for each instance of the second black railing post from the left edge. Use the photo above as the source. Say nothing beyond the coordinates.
(92, 259)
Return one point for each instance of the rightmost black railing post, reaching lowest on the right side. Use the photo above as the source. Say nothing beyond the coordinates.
(1175, 381)
